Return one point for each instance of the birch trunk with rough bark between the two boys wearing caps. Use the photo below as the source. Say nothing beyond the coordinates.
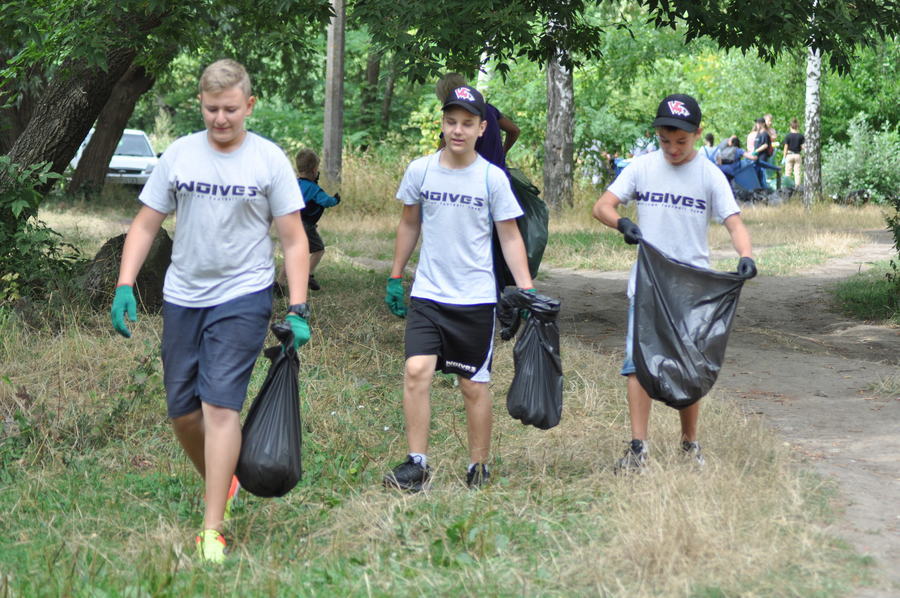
(559, 141)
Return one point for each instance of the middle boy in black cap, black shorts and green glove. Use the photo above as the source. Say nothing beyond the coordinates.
(453, 198)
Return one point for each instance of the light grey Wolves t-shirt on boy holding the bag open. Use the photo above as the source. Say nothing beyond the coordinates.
(675, 204)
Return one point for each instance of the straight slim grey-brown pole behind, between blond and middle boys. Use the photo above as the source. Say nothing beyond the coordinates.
(333, 141)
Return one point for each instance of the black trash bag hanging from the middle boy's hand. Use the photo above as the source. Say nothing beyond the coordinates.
(535, 395)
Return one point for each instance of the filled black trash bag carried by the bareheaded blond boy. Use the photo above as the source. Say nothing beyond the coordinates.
(269, 463)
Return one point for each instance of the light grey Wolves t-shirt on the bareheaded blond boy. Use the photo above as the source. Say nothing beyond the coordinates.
(224, 204)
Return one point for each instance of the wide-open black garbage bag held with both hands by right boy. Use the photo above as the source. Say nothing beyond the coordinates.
(682, 319)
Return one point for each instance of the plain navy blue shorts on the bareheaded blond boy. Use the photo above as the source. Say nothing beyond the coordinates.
(208, 353)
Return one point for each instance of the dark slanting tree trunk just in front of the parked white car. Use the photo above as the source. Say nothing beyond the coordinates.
(92, 167)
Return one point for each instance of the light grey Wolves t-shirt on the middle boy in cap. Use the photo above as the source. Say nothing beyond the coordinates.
(459, 208)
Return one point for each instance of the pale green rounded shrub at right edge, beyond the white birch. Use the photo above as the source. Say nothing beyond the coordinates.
(867, 162)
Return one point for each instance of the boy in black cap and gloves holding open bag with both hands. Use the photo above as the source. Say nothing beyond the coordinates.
(677, 192)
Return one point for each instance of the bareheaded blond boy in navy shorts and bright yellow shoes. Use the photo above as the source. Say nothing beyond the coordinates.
(227, 185)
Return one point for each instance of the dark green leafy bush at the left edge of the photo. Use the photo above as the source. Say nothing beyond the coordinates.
(31, 254)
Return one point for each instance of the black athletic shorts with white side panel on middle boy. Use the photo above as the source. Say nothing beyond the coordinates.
(462, 336)
